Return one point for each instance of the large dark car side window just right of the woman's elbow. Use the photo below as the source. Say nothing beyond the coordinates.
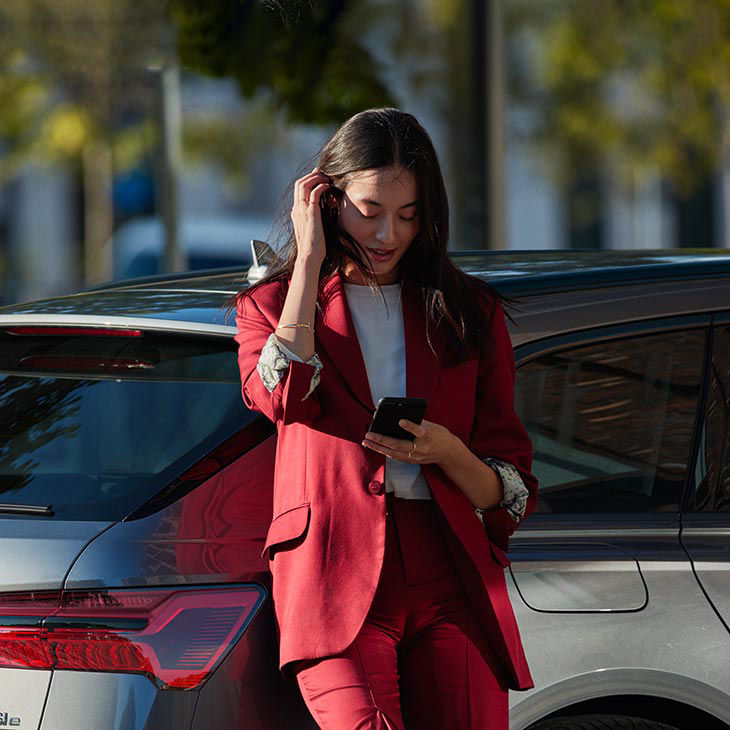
(611, 422)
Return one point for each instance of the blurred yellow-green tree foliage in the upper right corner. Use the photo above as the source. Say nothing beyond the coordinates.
(644, 85)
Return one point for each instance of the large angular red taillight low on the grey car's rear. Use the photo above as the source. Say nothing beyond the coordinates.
(176, 637)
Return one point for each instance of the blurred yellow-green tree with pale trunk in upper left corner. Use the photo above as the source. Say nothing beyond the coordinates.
(75, 73)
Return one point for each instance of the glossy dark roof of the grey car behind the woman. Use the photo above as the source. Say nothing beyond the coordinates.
(539, 279)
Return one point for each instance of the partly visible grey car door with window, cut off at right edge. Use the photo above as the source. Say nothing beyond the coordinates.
(706, 517)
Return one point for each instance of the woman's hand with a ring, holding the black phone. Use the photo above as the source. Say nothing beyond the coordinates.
(433, 444)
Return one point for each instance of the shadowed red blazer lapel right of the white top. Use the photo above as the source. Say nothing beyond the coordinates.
(422, 363)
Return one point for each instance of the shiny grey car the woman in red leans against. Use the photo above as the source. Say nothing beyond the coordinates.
(135, 494)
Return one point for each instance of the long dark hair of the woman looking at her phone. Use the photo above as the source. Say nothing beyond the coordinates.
(381, 138)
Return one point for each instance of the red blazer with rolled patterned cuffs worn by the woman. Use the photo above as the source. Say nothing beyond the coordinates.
(327, 536)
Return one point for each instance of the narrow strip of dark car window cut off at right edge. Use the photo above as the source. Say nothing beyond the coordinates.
(712, 473)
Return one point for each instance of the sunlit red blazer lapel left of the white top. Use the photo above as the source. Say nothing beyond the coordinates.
(338, 338)
